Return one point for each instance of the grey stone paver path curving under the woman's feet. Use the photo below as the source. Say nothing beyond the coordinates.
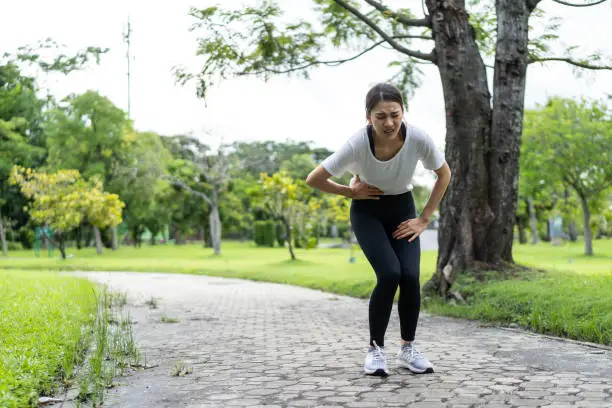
(253, 344)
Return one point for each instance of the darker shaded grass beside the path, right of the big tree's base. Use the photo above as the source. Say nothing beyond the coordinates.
(558, 303)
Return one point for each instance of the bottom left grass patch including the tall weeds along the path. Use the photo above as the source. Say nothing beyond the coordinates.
(56, 331)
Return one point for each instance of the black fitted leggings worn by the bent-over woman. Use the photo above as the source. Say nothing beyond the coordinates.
(395, 262)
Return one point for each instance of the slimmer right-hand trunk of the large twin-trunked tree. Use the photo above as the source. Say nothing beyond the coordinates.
(511, 60)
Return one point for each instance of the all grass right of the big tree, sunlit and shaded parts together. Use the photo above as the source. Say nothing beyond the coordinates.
(570, 299)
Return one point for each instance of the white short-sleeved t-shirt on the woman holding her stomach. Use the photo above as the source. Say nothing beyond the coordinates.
(393, 176)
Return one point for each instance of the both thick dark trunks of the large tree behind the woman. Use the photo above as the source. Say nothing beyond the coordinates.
(482, 145)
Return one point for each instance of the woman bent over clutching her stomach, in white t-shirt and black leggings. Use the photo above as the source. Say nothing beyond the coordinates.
(383, 156)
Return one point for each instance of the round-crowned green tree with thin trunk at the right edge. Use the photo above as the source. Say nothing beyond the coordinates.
(574, 140)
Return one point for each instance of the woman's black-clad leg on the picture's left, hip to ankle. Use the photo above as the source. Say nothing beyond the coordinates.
(377, 248)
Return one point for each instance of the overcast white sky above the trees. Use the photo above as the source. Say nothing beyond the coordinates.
(325, 109)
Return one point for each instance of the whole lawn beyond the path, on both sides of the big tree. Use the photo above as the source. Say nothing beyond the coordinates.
(571, 300)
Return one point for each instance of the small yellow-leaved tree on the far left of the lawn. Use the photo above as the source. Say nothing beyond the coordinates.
(62, 200)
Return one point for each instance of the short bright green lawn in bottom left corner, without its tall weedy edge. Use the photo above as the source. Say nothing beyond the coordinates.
(42, 321)
